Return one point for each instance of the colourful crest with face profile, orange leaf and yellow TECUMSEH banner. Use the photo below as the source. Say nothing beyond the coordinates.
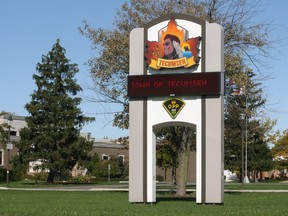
(173, 49)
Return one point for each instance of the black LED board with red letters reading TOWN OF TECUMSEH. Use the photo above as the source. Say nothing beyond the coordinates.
(140, 86)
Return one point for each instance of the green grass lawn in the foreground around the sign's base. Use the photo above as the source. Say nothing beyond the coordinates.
(44, 203)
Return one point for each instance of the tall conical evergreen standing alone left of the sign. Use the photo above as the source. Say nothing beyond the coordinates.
(54, 122)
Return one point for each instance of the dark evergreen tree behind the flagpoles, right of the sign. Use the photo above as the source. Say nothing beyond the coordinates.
(244, 123)
